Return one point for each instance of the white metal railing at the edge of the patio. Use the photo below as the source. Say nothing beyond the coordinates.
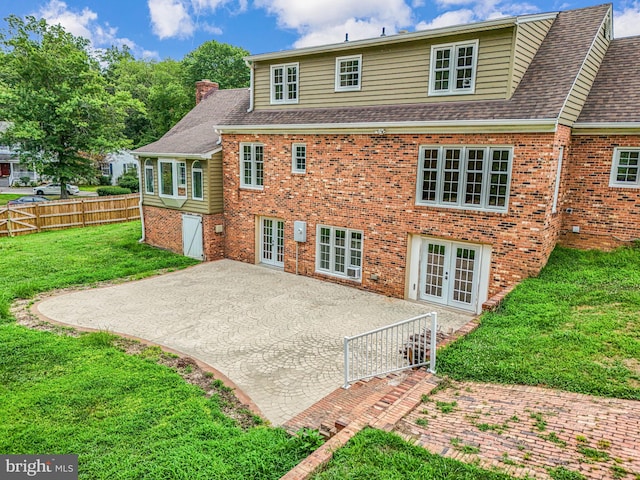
(407, 344)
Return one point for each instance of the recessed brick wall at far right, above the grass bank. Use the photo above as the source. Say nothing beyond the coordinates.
(606, 216)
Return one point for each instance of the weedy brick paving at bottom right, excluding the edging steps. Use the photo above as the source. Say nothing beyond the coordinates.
(525, 430)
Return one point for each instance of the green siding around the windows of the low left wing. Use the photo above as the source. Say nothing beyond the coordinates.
(211, 185)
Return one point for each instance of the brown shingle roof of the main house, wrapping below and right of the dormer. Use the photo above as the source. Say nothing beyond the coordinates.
(539, 97)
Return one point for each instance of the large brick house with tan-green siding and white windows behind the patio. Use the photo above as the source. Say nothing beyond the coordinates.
(441, 166)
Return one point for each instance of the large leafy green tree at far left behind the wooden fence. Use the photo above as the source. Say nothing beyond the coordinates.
(54, 95)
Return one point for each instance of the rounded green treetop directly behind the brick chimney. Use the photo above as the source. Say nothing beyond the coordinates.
(218, 62)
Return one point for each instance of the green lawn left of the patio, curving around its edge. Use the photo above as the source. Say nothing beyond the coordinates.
(126, 416)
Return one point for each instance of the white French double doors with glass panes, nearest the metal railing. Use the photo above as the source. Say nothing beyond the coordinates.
(449, 273)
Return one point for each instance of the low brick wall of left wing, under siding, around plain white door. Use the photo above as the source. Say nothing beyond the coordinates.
(163, 229)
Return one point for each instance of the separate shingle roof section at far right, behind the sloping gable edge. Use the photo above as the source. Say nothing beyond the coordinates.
(615, 94)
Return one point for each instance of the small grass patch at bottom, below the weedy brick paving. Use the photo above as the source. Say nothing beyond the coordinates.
(374, 454)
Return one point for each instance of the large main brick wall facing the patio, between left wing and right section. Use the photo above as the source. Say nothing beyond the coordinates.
(368, 182)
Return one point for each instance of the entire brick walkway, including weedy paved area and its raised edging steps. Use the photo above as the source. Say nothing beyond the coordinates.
(516, 429)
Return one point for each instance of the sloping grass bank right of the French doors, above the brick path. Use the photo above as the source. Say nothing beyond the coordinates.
(574, 328)
